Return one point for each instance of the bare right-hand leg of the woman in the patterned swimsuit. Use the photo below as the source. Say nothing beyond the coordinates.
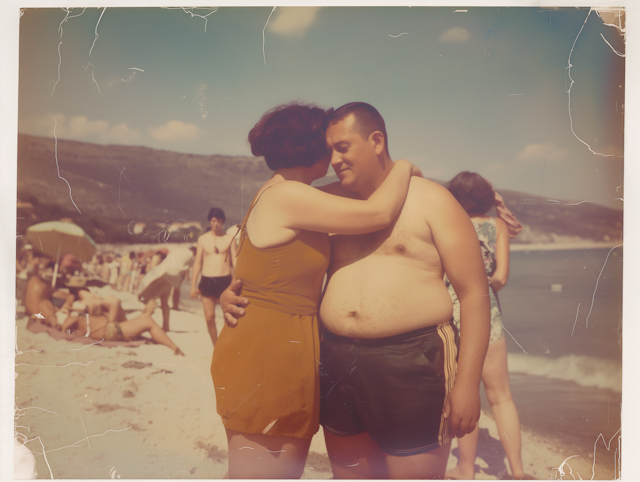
(495, 376)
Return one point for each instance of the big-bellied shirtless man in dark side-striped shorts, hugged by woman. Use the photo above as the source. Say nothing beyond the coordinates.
(391, 400)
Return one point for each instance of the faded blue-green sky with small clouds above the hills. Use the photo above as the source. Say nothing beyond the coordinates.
(483, 89)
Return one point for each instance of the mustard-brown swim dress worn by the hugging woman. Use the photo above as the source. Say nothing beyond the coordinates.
(265, 368)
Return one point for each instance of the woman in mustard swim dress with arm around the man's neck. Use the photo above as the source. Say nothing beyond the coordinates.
(265, 369)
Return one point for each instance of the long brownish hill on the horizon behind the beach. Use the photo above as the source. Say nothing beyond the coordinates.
(115, 186)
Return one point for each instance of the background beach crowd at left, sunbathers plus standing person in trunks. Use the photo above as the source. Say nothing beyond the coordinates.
(69, 305)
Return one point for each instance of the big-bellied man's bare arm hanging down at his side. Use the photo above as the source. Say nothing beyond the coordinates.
(457, 243)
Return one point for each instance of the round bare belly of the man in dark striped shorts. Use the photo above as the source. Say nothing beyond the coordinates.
(382, 296)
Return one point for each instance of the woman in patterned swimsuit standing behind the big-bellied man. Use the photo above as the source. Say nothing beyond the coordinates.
(477, 197)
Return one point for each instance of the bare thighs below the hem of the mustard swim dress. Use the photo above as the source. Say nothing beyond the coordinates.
(257, 456)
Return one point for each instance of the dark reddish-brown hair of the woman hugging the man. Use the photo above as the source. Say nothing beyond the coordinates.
(290, 135)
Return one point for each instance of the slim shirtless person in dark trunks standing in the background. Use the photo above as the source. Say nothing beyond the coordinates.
(215, 259)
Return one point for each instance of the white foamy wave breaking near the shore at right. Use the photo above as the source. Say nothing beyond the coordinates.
(584, 370)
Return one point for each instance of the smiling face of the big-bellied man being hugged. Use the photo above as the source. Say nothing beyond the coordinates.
(353, 158)
